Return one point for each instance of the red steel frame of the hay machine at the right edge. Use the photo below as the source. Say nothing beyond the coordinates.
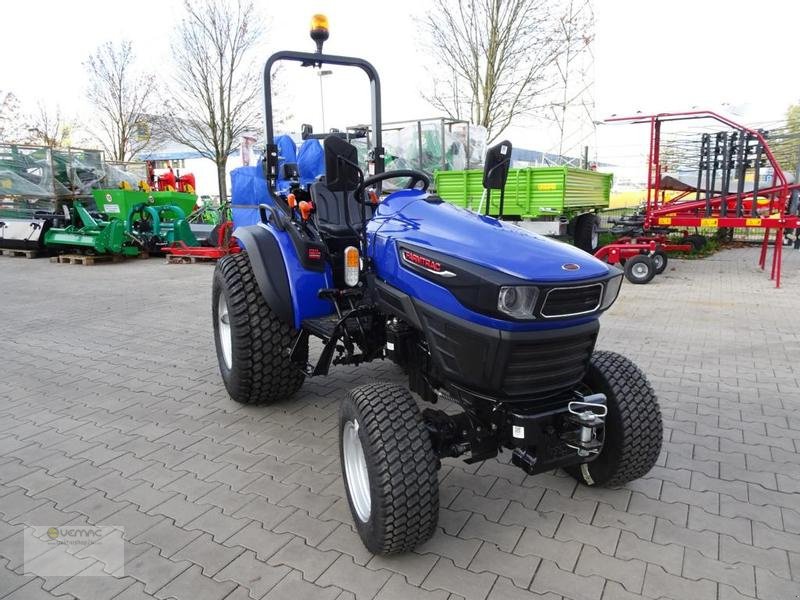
(676, 212)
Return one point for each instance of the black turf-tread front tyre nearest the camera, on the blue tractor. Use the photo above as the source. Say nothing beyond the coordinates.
(401, 466)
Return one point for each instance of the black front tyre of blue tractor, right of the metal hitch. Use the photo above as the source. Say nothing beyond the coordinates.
(634, 429)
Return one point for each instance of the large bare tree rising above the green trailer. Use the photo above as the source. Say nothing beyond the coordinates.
(495, 57)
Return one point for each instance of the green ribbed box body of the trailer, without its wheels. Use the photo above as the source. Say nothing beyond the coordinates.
(530, 192)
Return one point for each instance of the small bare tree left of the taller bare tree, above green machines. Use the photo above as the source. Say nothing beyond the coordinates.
(122, 100)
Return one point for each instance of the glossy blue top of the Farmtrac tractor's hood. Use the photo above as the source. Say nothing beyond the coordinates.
(426, 222)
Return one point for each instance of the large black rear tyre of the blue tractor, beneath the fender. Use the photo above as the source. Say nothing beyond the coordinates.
(260, 370)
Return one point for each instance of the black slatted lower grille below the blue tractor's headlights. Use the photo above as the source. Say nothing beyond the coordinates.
(545, 367)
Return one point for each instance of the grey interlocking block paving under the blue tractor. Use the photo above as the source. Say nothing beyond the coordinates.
(112, 412)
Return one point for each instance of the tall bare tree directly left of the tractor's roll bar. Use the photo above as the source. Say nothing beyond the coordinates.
(213, 99)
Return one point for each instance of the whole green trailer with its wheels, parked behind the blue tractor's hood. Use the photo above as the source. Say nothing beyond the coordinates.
(558, 201)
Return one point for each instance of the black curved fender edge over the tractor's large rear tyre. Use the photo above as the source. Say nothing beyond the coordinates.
(269, 269)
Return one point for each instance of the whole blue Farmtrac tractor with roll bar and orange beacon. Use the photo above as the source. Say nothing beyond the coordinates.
(481, 314)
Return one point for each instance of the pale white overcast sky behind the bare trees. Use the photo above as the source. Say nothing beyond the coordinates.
(649, 56)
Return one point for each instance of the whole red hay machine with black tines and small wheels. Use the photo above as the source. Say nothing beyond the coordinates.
(725, 194)
